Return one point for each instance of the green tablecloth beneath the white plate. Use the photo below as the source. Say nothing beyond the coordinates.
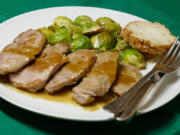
(164, 121)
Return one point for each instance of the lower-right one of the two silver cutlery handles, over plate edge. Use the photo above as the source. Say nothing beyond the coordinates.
(132, 107)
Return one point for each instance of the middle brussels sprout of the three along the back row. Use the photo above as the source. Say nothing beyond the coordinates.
(82, 20)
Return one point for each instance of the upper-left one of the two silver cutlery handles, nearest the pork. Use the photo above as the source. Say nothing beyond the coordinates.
(119, 105)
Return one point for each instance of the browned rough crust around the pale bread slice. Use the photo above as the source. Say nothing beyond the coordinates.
(144, 45)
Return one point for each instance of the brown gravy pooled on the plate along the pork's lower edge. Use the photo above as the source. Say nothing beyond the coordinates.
(64, 95)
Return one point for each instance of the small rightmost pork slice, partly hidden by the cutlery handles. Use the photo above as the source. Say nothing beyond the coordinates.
(126, 77)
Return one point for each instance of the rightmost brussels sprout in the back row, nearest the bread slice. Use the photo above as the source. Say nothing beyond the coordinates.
(109, 25)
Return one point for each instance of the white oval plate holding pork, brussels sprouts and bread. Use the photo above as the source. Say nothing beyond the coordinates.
(9, 29)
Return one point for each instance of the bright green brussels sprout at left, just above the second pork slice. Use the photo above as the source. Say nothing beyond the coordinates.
(62, 35)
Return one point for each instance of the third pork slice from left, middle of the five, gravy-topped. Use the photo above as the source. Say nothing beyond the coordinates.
(80, 63)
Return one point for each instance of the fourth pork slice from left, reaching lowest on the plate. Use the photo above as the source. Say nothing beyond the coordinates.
(99, 80)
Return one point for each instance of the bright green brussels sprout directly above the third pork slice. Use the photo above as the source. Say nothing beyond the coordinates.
(80, 42)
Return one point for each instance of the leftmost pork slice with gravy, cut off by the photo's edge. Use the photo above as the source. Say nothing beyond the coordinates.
(21, 51)
